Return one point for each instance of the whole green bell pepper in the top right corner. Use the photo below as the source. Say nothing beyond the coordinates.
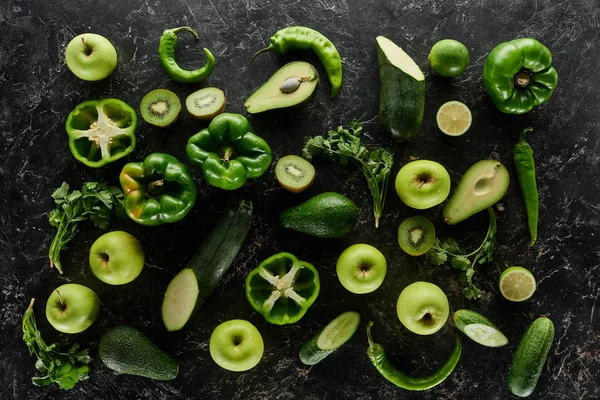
(518, 75)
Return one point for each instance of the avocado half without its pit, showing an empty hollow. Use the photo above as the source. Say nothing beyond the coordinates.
(481, 187)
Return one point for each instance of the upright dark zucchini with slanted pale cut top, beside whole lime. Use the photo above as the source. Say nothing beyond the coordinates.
(402, 91)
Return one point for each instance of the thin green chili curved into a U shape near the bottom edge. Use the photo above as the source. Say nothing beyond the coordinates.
(377, 356)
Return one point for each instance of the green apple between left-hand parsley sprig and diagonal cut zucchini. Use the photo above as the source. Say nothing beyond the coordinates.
(116, 258)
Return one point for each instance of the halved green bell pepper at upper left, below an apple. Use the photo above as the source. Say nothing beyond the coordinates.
(101, 131)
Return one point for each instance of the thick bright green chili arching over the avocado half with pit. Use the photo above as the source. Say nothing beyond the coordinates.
(302, 38)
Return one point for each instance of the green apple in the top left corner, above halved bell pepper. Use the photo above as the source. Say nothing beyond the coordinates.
(91, 57)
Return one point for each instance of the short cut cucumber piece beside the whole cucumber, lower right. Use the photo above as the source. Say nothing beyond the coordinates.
(479, 329)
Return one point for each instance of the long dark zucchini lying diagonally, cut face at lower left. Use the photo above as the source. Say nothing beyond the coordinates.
(192, 286)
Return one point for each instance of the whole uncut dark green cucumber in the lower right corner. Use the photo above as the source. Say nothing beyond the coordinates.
(530, 357)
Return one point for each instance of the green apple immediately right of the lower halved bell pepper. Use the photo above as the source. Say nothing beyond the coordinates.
(361, 268)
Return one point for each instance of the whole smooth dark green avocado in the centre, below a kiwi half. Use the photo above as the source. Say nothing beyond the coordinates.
(327, 215)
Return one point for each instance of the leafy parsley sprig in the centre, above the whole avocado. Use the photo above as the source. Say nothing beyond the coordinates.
(343, 145)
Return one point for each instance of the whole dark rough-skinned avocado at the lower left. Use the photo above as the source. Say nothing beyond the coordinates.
(128, 351)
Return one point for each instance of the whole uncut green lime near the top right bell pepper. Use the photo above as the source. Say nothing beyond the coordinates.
(449, 58)
